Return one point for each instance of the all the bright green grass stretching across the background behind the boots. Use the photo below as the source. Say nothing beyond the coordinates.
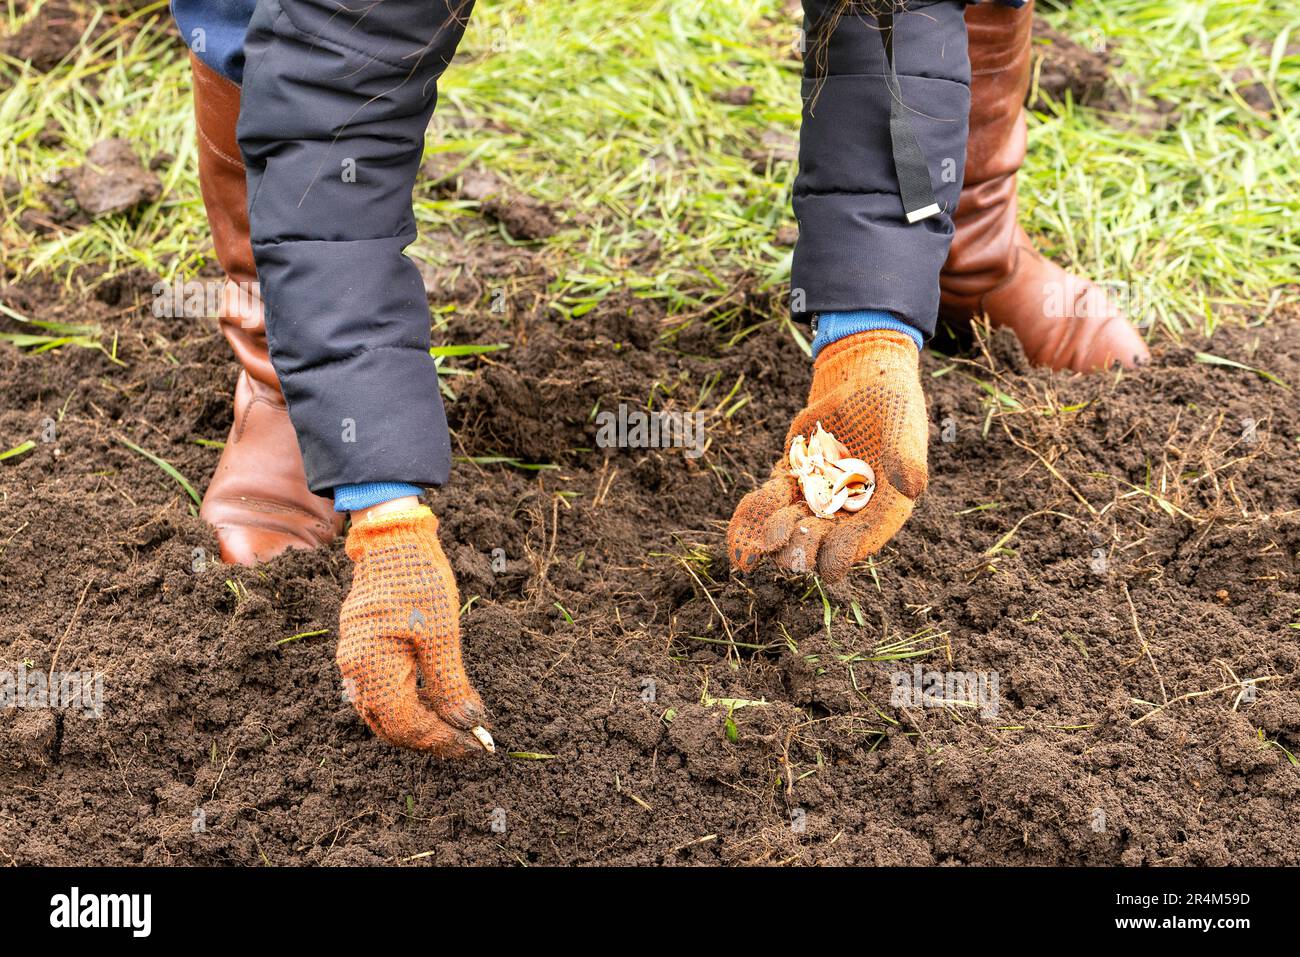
(606, 110)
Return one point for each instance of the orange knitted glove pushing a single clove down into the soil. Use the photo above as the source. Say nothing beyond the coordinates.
(404, 613)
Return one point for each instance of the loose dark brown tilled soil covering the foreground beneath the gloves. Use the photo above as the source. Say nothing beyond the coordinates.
(207, 717)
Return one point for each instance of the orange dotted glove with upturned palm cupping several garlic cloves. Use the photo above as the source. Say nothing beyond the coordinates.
(866, 391)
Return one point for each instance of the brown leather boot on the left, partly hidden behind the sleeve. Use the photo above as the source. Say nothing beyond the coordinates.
(258, 499)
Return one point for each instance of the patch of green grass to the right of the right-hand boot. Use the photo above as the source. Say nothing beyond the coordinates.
(1203, 214)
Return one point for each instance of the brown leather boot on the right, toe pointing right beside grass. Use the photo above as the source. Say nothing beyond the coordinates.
(1063, 322)
